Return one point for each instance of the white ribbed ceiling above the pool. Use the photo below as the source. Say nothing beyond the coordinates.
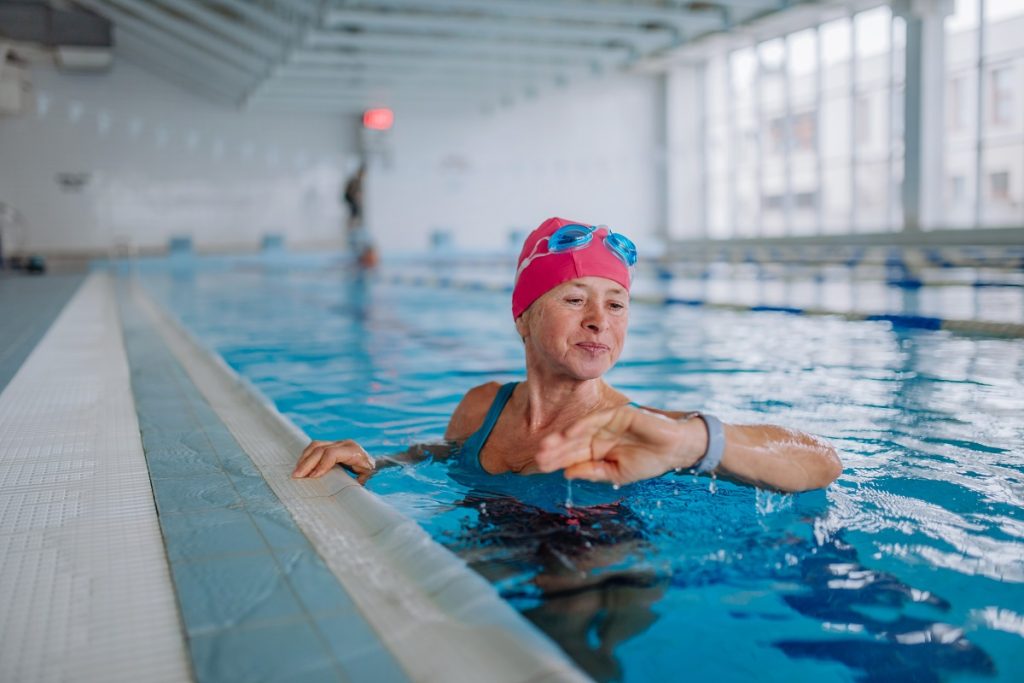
(346, 56)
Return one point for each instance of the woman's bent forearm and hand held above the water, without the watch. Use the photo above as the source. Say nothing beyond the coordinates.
(627, 445)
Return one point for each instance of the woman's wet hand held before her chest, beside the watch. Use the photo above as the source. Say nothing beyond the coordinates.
(623, 445)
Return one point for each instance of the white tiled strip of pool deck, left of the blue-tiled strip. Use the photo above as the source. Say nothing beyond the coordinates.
(86, 592)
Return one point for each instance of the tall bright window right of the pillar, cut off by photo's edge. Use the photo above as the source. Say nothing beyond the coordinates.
(985, 142)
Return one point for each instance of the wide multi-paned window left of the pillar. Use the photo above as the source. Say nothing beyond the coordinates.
(812, 131)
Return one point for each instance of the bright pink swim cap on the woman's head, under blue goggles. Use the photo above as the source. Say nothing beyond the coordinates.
(546, 272)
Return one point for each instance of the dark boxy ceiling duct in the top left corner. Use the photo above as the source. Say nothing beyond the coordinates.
(75, 38)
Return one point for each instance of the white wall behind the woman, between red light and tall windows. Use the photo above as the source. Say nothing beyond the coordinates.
(588, 153)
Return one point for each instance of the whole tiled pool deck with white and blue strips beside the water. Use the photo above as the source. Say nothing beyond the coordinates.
(150, 529)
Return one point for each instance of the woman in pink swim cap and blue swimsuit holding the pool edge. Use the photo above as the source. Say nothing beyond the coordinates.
(571, 305)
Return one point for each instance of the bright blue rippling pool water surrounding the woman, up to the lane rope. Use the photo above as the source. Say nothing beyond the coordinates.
(910, 567)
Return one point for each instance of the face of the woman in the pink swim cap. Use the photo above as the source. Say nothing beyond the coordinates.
(579, 328)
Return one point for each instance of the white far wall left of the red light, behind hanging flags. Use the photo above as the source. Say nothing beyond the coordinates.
(163, 162)
